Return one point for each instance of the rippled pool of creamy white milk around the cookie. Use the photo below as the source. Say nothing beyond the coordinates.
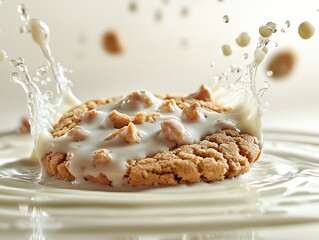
(280, 192)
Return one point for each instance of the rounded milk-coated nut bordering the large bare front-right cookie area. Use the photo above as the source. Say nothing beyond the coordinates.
(173, 130)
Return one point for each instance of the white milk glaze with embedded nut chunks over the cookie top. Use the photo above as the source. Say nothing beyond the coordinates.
(170, 127)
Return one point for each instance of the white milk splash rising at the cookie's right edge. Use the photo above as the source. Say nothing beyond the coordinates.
(243, 95)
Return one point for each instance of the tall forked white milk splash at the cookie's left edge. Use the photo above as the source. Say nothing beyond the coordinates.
(45, 109)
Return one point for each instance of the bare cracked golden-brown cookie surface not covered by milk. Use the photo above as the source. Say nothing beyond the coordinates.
(225, 154)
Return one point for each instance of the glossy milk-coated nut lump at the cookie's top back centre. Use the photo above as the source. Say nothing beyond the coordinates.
(137, 100)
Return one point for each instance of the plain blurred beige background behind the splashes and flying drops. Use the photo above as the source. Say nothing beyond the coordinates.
(155, 59)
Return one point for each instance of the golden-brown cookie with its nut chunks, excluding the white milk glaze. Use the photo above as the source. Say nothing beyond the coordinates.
(226, 153)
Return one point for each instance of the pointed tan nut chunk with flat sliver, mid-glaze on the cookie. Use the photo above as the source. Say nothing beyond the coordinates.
(128, 134)
